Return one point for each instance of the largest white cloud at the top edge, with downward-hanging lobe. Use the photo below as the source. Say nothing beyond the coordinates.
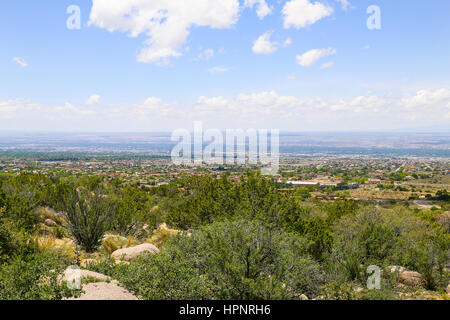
(165, 23)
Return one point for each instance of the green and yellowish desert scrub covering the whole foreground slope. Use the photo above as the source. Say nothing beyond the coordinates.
(202, 237)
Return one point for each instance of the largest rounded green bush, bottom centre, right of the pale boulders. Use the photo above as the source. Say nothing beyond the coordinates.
(225, 260)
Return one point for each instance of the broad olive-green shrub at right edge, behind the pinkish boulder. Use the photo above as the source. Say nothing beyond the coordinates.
(386, 237)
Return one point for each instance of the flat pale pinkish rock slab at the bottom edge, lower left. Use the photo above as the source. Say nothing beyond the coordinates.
(105, 291)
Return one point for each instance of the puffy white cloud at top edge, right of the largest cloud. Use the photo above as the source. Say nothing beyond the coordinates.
(302, 13)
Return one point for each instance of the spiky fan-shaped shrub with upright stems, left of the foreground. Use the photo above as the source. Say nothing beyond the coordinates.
(87, 214)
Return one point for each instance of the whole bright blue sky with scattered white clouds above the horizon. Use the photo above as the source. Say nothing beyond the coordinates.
(96, 79)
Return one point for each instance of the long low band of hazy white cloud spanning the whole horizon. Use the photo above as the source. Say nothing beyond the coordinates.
(258, 109)
